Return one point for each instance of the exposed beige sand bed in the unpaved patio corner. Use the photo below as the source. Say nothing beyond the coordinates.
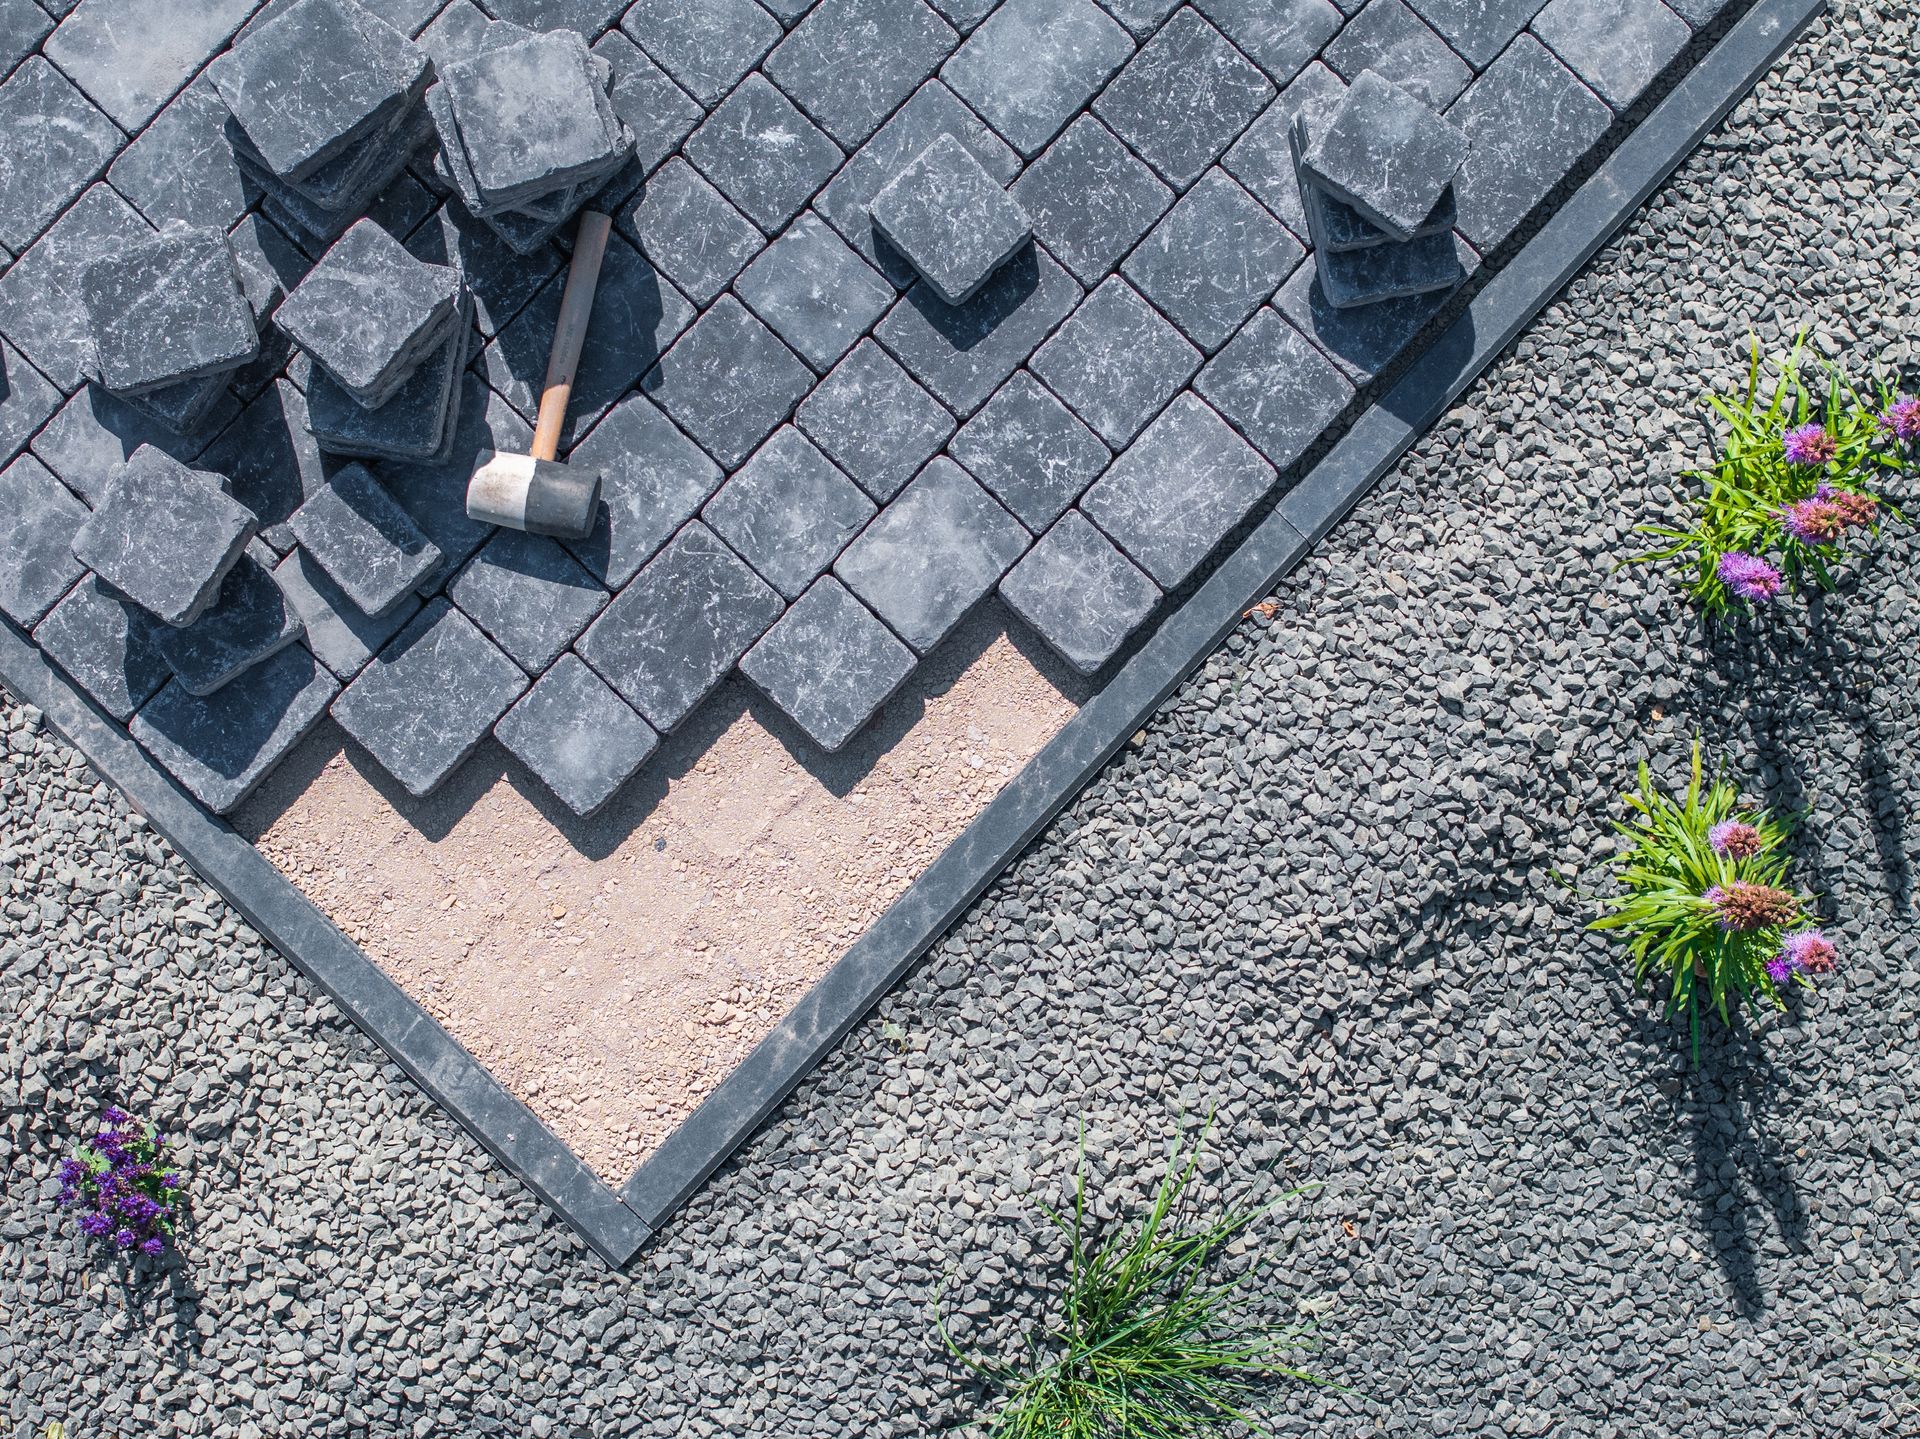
(612, 973)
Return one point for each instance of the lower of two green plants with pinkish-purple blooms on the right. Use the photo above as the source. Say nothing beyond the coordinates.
(1704, 900)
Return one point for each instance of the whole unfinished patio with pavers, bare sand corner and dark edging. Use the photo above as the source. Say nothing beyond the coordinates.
(959, 376)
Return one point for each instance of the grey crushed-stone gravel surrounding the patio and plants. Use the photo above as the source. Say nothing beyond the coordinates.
(1320, 894)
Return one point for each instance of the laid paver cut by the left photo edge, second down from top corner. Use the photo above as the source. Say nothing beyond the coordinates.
(57, 141)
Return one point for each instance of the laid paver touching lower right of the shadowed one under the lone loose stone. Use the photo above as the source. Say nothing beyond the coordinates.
(1116, 362)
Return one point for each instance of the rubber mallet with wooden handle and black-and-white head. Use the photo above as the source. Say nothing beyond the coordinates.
(535, 493)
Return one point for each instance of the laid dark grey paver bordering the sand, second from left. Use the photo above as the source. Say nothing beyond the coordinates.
(431, 698)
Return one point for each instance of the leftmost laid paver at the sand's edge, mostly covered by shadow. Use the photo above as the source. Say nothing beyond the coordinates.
(224, 746)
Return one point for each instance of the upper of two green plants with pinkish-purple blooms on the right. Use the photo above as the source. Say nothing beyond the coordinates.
(1790, 487)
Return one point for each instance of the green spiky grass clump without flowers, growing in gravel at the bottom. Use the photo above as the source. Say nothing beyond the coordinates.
(1149, 1340)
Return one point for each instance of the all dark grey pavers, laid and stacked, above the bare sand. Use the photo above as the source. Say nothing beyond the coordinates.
(911, 308)
